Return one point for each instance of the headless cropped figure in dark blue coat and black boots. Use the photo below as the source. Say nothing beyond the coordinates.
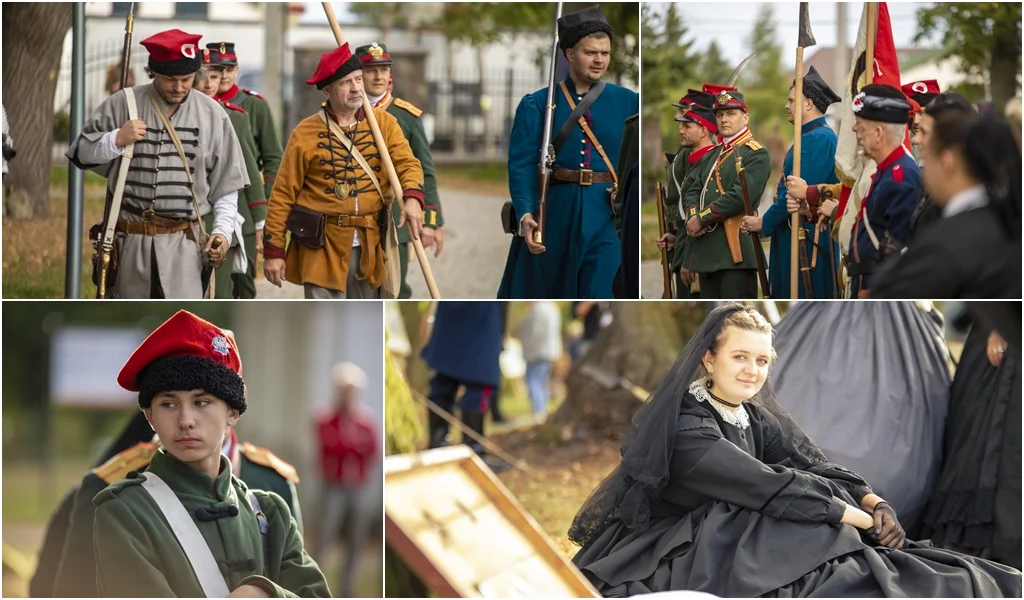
(463, 352)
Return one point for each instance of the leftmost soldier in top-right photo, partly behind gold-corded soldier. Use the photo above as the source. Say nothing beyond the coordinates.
(698, 131)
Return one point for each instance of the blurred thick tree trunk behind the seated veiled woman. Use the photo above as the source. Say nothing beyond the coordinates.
(641, 345)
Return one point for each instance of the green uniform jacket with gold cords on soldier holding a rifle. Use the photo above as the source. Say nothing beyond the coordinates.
(713, 193)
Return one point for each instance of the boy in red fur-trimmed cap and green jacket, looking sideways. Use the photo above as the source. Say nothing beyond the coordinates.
(187, 527)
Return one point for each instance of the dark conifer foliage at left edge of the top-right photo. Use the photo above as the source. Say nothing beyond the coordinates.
(670, 66)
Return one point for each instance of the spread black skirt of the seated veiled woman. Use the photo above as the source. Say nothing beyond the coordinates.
(735, 552)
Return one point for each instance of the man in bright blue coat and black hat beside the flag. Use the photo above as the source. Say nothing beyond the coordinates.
(818, 166)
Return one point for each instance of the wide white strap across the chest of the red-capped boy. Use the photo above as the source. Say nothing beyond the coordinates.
(189, 536)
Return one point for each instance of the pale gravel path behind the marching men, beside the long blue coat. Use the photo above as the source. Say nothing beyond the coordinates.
(474, 260)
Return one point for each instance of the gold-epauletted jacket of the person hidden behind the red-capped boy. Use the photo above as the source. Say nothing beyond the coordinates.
(75, 578)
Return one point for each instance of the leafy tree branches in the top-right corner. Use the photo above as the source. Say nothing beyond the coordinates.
(986, 37)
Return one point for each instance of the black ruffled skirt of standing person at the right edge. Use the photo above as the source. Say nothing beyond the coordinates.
(976, 504)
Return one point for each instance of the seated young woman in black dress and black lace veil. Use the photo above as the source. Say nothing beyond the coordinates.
(719, 491)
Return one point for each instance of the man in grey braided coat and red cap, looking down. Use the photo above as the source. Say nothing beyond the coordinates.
(158, 232)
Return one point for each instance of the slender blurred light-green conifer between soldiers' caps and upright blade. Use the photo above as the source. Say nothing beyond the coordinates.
(763, 81)
